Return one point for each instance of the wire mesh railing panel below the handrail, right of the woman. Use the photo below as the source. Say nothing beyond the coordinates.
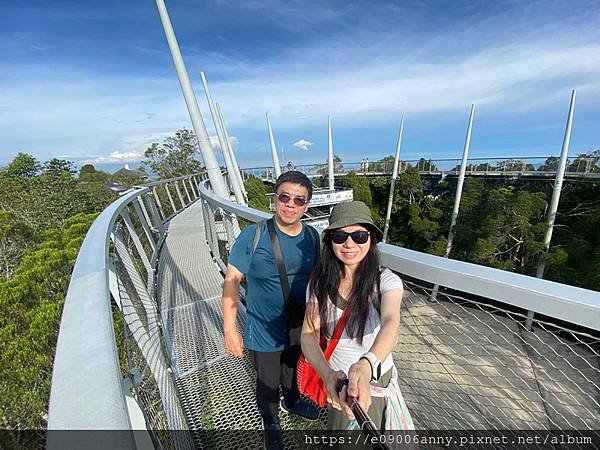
(465, 364)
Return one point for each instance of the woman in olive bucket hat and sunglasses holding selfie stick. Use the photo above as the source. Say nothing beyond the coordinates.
(348, 275)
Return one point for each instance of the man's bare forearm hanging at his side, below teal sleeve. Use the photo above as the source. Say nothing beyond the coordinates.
(234, 344)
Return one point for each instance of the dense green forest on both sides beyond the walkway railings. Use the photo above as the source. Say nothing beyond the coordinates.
(46, 209)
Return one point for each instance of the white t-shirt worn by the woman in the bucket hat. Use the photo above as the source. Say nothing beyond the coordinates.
(348, 350)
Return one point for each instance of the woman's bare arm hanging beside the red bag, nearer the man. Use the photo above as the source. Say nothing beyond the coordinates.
(309, 340)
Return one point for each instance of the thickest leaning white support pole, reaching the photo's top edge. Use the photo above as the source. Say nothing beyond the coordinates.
(208, 154)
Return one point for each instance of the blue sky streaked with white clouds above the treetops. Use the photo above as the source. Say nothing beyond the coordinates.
(93, 81)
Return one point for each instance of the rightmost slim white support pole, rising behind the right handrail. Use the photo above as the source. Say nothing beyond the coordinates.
(553, 207)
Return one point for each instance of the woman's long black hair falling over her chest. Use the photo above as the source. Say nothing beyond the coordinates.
(325, 282)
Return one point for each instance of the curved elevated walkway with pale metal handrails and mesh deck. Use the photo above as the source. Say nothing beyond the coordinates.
(465, 360)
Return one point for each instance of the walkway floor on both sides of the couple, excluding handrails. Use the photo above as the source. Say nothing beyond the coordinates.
(461, 366)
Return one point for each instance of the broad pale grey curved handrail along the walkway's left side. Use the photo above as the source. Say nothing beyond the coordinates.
(86, 391)
